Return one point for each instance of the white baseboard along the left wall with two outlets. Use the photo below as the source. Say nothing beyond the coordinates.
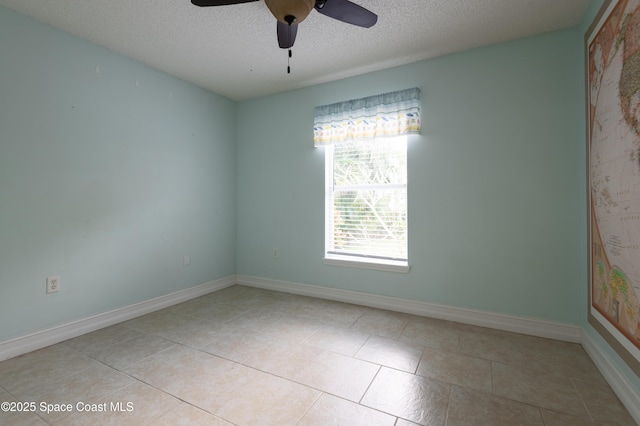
(41, 339)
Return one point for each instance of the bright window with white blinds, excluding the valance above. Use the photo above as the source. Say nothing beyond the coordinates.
(366, 202)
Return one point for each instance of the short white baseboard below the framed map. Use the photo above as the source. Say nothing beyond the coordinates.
(629, 397)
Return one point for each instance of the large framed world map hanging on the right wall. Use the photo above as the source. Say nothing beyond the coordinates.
(613, 67)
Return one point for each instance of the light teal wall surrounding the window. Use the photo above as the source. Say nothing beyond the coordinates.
(494, 182)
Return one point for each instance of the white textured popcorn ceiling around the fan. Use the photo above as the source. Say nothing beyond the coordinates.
(233, 50)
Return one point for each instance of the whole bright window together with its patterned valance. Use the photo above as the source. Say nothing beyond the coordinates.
(366, 178)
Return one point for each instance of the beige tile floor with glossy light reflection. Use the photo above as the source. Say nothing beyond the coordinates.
(245, 356)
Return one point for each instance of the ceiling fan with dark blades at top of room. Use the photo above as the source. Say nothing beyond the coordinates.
(290, 13)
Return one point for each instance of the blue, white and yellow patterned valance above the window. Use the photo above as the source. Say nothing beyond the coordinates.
(386, 115)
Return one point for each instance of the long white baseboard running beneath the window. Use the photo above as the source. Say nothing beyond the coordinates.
(529, 326)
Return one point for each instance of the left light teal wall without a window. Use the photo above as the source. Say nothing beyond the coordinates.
(103, 182)
